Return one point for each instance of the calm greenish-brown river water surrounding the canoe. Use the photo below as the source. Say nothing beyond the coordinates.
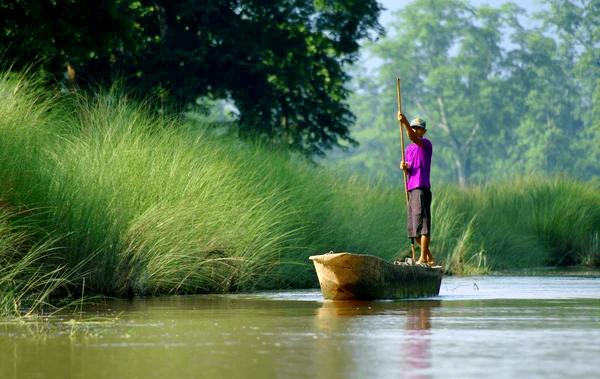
(493, 327)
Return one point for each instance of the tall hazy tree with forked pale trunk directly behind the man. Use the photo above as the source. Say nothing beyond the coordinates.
(448, 56)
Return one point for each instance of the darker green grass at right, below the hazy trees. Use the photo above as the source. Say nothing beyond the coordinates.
(537, 222)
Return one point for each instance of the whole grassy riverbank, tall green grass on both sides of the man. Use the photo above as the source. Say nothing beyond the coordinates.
(101, 195)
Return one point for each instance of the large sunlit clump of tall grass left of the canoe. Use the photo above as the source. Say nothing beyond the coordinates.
(152, 208)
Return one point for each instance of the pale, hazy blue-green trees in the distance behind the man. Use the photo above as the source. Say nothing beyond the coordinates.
(501, 99)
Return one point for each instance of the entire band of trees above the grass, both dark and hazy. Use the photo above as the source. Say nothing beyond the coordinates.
(505, 92)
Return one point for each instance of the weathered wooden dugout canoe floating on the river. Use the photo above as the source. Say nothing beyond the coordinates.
(346, 276)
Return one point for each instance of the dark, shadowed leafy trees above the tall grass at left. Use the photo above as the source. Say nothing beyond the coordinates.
(281, 61)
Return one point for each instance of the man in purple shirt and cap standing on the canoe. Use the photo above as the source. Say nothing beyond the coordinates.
(418, 167)
